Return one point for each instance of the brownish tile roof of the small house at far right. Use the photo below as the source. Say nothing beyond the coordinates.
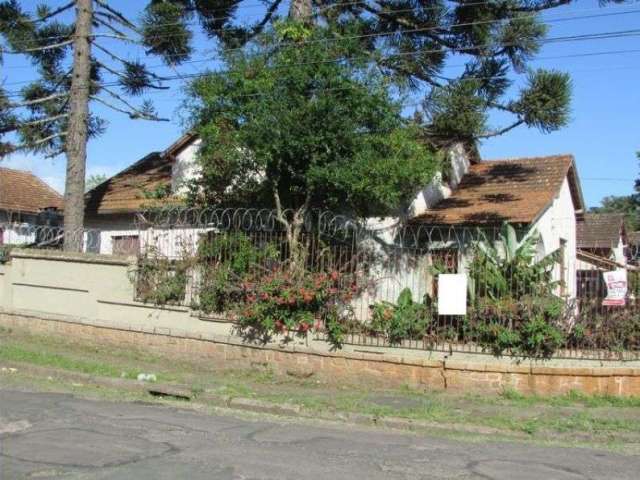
(599, 230)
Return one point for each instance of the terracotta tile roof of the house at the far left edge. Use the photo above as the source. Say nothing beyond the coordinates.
(23, 191)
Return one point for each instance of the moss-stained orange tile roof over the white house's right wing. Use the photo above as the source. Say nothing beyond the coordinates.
(515, 191)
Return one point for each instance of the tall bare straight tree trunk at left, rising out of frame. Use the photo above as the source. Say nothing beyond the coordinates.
(76, 142)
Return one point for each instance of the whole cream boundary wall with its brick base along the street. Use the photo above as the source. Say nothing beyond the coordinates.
(91, 298)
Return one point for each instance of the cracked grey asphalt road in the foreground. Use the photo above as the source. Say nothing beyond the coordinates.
(48, 436)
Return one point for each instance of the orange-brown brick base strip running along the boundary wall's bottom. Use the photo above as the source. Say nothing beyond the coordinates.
(384, 370)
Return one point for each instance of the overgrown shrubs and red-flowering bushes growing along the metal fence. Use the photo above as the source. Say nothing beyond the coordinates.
(514, 307)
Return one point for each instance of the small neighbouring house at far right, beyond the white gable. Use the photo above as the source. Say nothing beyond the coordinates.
(602, 246)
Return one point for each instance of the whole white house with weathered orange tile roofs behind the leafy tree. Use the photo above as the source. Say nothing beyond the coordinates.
(540, 194)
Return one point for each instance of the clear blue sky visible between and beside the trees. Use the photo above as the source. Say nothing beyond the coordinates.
(603, 133)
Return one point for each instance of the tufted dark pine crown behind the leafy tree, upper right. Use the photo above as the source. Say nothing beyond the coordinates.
(413, 41)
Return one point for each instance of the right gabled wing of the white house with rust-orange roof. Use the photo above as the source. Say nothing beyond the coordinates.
(539, 195)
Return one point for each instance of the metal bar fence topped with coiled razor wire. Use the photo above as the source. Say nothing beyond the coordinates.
(527, 292)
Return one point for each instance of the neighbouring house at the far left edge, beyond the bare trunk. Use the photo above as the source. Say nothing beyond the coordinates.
(25, 201)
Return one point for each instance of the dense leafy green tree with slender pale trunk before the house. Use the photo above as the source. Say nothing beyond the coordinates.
(322, 135)
